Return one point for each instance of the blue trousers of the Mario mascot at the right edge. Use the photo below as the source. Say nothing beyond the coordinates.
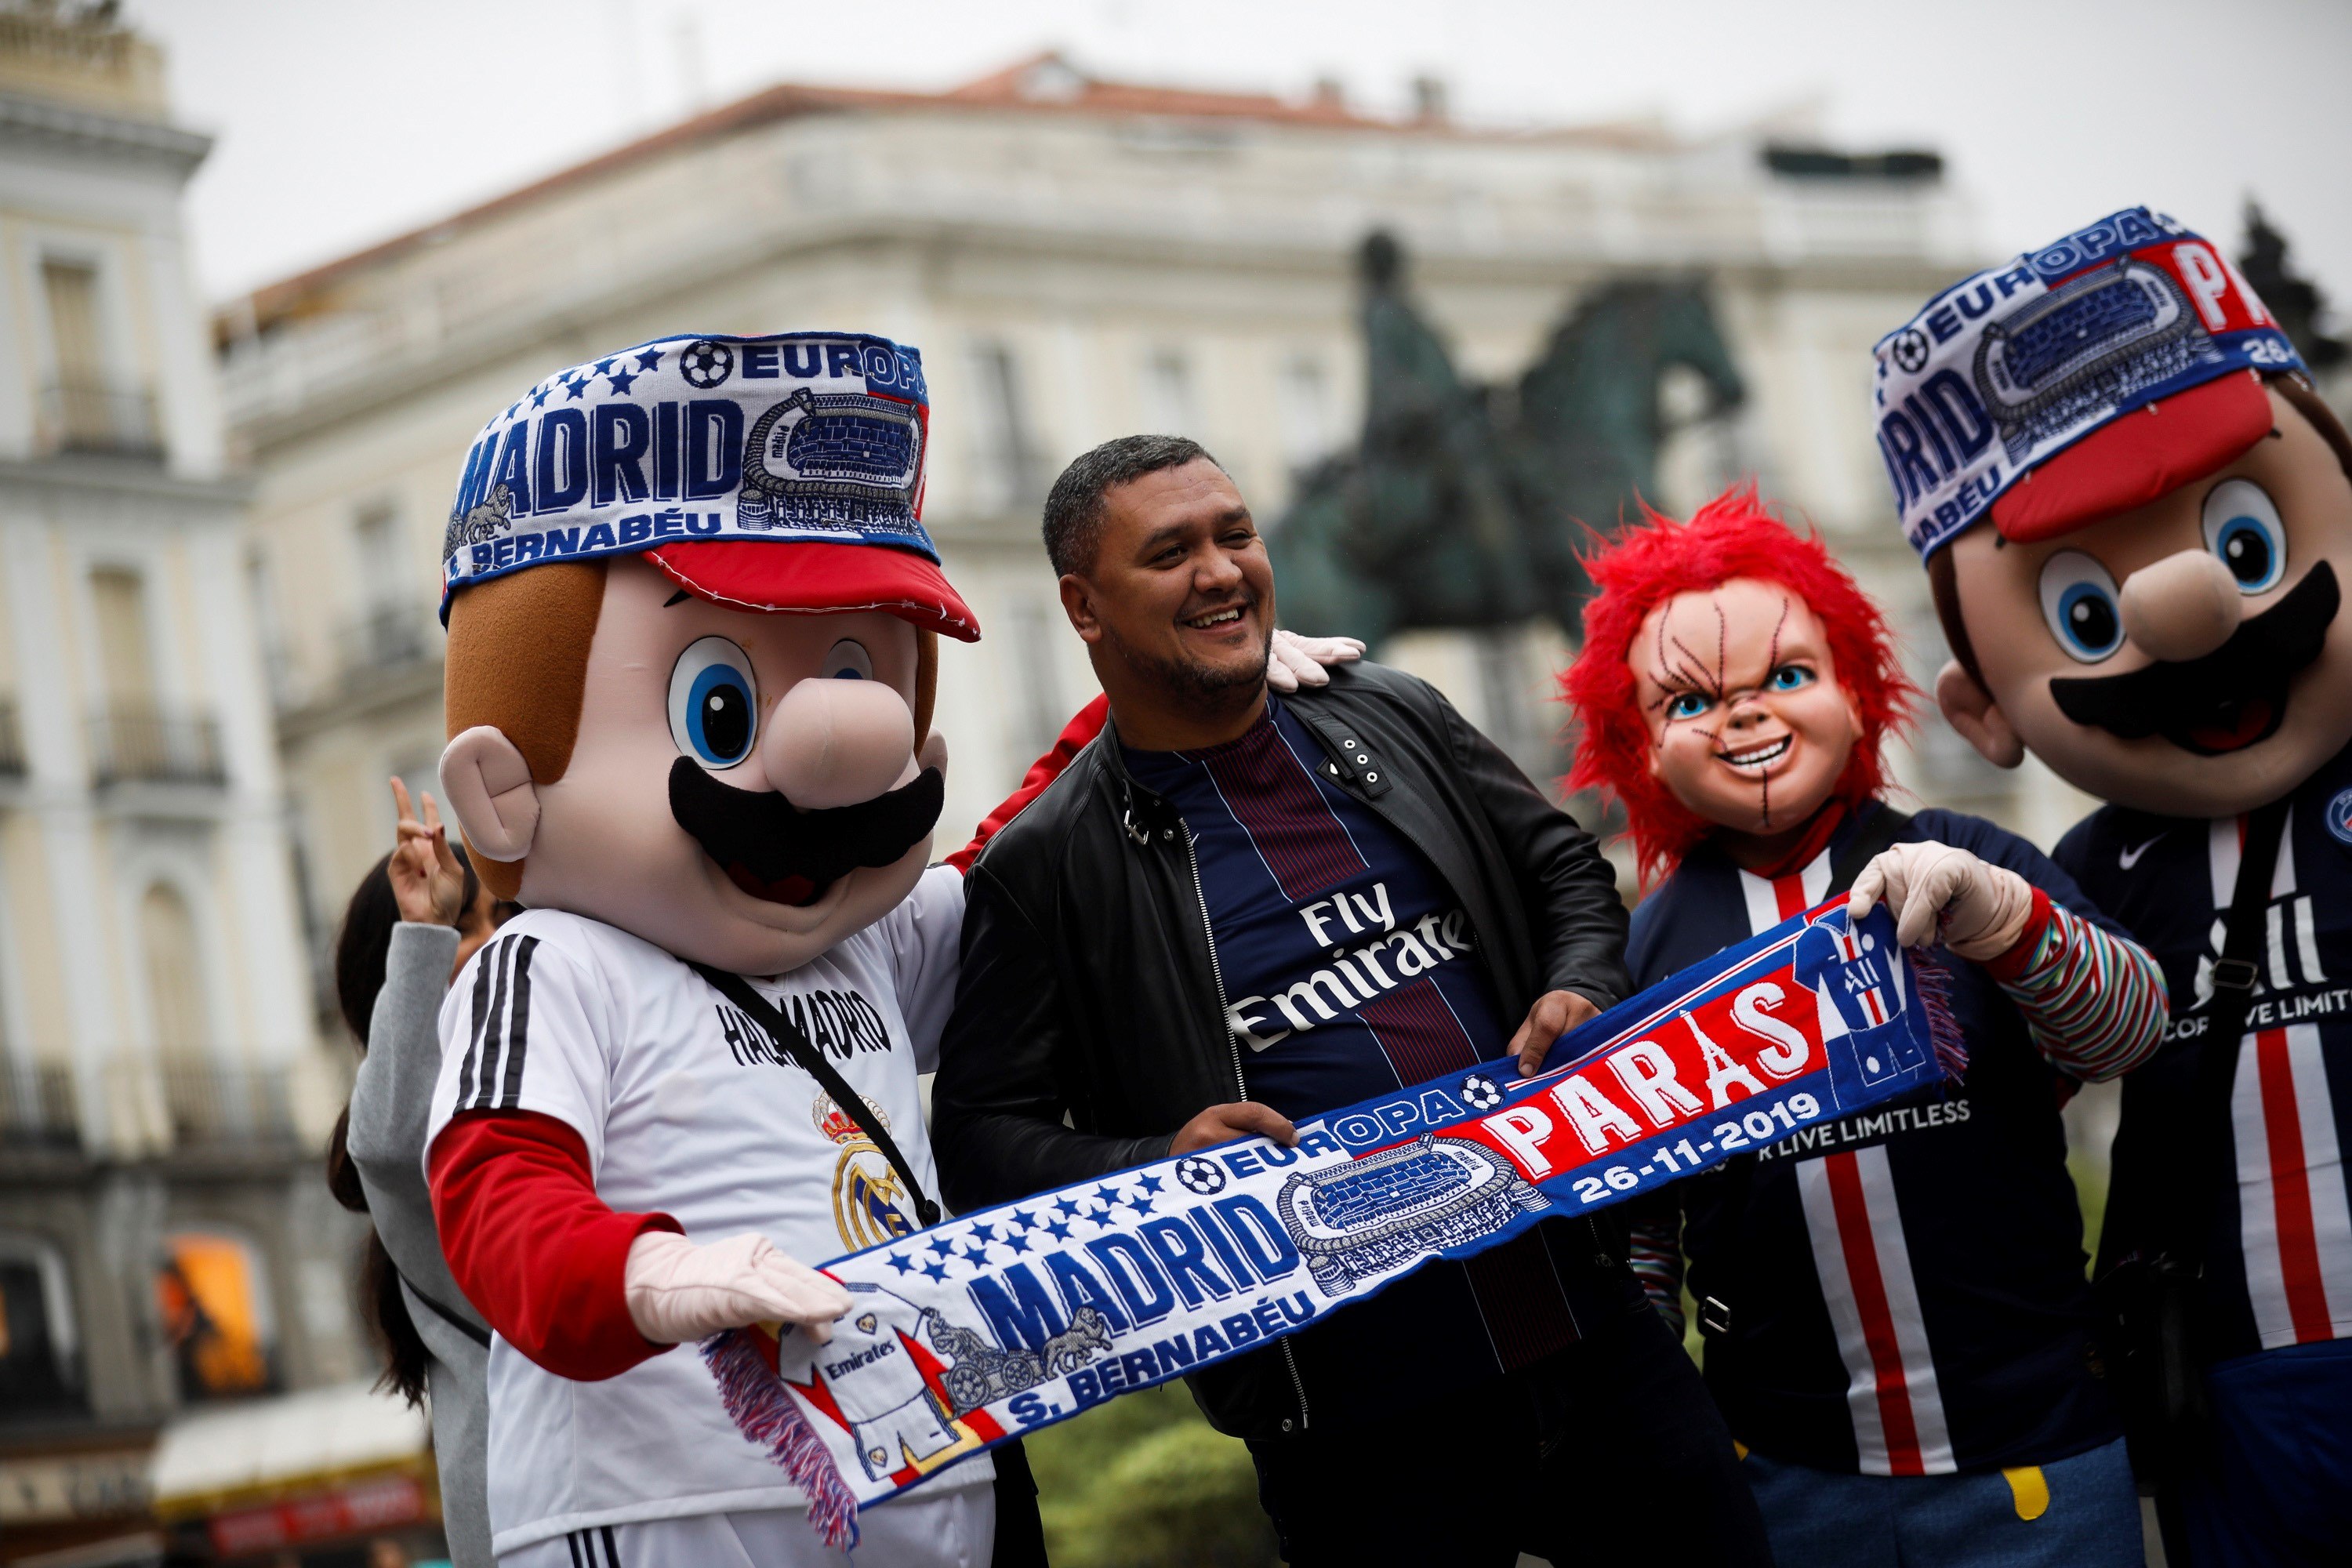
(2280, 1492)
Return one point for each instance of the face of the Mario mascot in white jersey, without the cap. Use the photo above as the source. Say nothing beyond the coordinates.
(707, 737)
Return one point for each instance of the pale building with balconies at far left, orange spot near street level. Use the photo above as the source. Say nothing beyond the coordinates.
(163, 1087)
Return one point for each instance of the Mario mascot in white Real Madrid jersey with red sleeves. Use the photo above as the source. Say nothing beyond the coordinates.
(693, 645)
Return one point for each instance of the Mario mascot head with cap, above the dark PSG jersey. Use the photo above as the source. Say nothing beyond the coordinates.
(2137, 521)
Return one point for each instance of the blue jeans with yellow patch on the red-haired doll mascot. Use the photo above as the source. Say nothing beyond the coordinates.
(2087, 1515)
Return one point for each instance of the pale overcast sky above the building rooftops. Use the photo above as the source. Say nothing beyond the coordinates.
(349, 121)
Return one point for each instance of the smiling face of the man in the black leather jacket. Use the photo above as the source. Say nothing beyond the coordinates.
(1180, 598)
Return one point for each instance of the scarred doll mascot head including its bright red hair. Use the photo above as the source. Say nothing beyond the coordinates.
(1732, 678)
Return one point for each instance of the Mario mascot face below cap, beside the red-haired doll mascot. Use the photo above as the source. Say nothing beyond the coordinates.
(2184, 657)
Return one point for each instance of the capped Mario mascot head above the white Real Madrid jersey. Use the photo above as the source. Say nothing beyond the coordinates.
(693, 645)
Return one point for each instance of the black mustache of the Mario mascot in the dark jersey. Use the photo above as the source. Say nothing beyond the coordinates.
(2224, 702)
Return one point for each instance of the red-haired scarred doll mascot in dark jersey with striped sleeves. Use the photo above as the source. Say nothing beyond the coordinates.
(1895, 1306)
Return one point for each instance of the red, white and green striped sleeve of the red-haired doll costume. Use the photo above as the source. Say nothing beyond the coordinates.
(2092, 1000)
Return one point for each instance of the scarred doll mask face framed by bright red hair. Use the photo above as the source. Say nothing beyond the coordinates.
(1746, 721)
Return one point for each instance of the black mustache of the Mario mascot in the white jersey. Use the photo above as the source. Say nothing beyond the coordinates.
(784, 855)
